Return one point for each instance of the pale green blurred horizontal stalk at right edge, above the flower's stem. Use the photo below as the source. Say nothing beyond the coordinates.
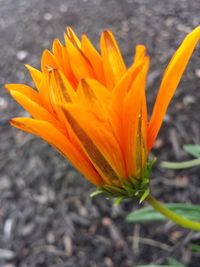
(180, 165)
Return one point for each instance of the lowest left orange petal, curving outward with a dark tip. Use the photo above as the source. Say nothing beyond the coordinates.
(53, 136)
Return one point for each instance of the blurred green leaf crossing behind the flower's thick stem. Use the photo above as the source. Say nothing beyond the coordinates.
(148, 214)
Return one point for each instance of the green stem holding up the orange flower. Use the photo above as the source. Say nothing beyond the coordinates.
(172, 215)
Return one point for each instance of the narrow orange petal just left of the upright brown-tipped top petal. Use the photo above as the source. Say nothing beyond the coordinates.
(94, 58)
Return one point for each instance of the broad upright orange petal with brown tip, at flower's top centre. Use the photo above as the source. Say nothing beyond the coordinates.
(114, 67)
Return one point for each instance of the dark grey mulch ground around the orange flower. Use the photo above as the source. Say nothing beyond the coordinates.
(47, 218)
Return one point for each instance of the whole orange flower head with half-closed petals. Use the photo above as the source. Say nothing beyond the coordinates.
(92, 108)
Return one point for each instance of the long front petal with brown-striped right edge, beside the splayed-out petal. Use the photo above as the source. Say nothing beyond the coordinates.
(132, 123)
